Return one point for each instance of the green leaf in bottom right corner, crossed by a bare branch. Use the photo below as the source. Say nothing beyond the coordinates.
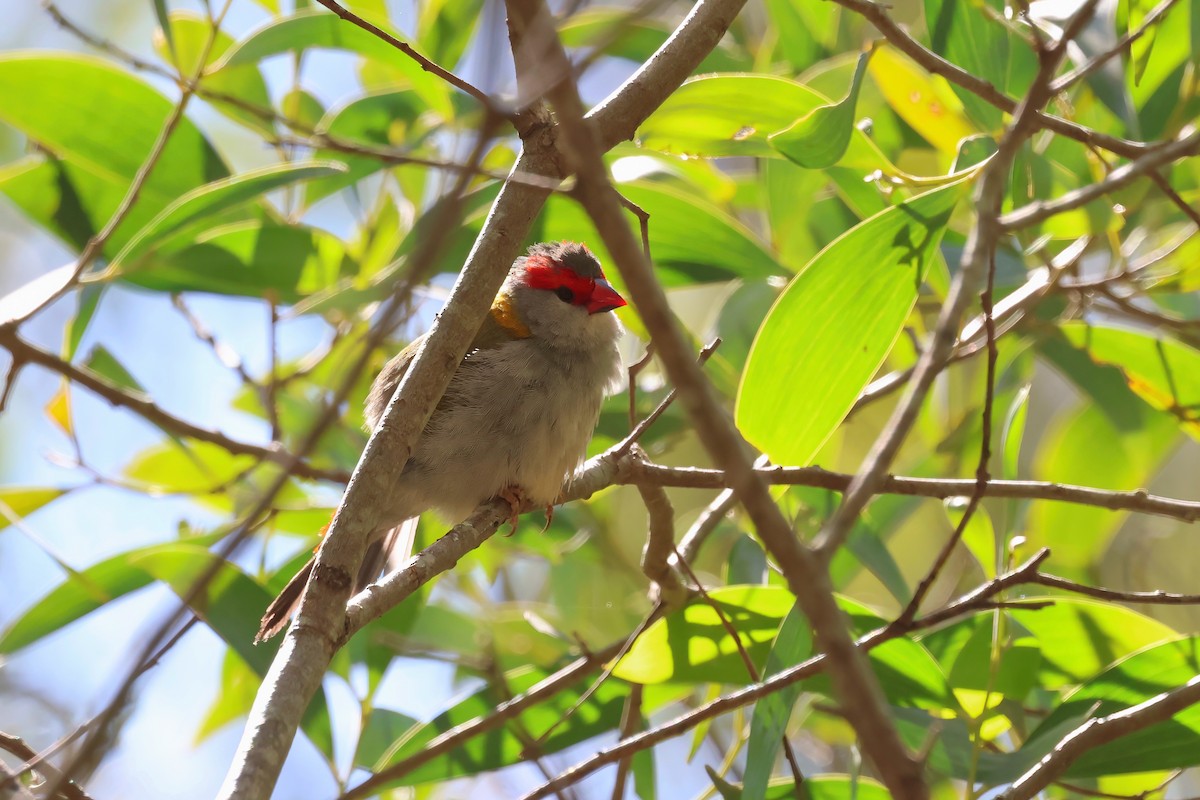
(1174, 744)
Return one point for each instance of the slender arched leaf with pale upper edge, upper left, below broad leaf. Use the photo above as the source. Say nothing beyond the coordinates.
(215, 199)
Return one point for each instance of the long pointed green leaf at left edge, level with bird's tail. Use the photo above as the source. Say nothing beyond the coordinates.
(82, 594)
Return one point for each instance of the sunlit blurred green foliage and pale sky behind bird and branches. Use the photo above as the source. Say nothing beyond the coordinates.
(808, 199)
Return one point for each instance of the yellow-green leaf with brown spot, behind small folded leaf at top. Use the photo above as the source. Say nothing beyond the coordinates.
(734, 115)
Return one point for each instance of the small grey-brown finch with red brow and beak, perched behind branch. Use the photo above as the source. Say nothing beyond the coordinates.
(519, 412)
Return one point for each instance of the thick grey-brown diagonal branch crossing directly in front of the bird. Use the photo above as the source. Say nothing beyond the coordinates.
(302, 661)
